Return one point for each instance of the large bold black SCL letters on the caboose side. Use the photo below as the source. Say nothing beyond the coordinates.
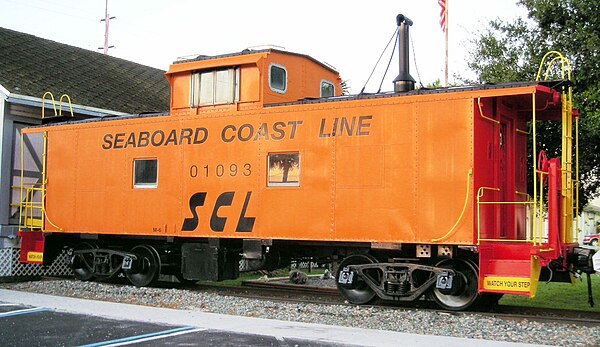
(217, 223)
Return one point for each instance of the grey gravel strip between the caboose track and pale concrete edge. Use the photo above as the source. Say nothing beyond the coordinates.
(408, 321)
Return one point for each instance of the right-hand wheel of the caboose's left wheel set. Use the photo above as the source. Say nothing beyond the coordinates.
(146, 269)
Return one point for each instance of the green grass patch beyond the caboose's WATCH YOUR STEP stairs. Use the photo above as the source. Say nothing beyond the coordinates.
(560, 296)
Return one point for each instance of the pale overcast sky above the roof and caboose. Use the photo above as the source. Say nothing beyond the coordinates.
(349, 35)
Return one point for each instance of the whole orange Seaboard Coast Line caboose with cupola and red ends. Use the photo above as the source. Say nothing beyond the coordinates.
(262, 158)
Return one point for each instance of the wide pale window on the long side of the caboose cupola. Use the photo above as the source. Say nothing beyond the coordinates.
(214, 87)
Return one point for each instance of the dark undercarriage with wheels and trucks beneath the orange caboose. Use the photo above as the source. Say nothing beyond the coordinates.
(448, 275)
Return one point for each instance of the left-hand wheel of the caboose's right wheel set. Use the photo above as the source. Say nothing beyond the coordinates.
(358, 292)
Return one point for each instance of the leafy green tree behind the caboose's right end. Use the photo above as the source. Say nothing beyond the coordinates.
(512, 50)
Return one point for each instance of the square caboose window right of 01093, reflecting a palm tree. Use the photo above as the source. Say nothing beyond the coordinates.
(284, 170)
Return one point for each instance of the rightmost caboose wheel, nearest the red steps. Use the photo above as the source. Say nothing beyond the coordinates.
(465, 294)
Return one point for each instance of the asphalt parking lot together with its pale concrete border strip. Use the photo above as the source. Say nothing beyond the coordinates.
(30, 319)
